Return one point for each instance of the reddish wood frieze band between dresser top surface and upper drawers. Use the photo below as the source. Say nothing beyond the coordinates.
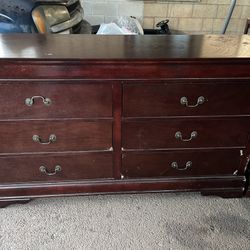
(154, 69)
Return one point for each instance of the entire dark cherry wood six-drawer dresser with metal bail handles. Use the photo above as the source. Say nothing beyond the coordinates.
(108, 114)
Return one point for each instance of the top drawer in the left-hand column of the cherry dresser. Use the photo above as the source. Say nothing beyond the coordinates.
(55, 100)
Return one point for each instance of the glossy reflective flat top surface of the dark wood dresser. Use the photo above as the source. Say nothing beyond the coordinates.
(93, 47)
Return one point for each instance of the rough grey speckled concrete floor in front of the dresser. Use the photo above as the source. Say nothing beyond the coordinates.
(147, 221)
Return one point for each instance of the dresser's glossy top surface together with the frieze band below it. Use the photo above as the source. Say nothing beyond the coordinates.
(123, 57)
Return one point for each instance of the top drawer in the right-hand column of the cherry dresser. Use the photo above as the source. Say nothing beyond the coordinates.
(198, 99)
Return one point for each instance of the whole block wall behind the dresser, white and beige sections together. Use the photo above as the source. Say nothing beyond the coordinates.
(205, 16)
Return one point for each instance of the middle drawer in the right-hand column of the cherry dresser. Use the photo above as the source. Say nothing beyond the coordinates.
(185, 133)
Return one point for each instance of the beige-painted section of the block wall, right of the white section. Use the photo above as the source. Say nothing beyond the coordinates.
(207, 16)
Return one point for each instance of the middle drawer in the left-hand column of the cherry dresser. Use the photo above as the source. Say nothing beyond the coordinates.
(55, 136)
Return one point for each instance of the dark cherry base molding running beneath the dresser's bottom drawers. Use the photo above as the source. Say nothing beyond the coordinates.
(211, 186)
